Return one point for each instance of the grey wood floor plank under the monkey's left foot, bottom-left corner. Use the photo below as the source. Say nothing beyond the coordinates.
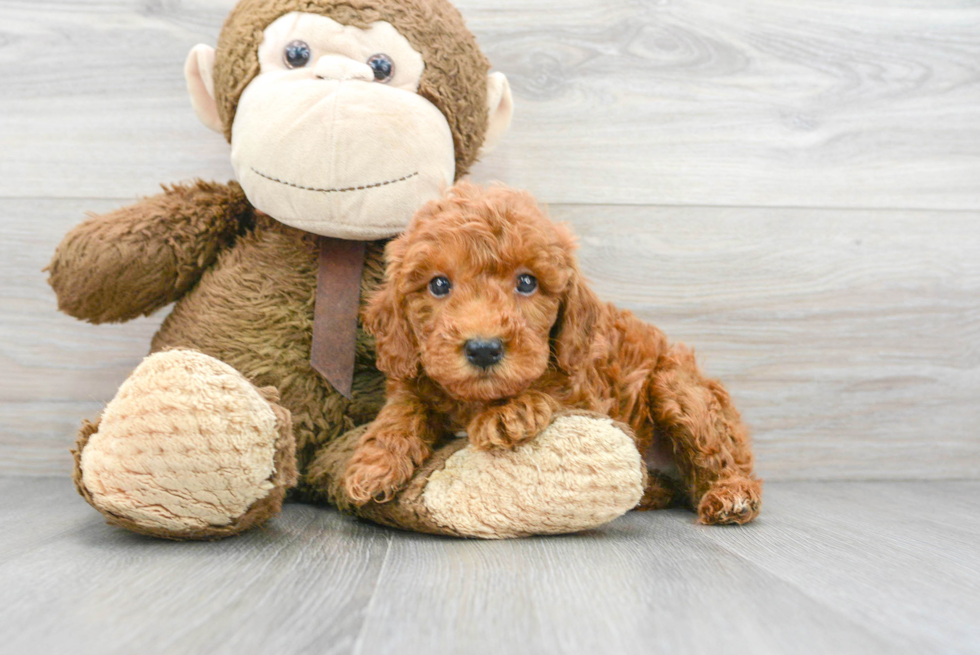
(72, 583)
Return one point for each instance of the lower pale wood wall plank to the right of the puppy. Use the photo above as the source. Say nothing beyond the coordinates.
(848, 338)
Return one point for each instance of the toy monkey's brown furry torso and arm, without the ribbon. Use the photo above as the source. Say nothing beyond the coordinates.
(244, 286)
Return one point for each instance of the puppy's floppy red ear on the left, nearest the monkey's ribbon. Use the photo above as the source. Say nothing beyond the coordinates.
(385, 318)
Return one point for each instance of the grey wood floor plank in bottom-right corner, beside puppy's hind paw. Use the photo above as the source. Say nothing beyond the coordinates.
(901, 559)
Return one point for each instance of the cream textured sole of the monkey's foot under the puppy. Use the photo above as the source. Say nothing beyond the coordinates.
(579, 473)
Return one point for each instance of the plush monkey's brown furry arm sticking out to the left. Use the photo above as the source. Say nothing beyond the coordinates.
(135, 260)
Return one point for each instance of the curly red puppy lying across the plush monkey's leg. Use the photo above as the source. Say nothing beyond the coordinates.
(485, 324)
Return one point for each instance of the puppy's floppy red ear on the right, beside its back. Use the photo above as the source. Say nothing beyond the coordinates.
(576, 330)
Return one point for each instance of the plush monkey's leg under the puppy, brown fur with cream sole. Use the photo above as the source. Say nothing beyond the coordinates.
(580, 472)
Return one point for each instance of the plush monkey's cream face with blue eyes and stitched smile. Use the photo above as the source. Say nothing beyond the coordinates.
(332, 138)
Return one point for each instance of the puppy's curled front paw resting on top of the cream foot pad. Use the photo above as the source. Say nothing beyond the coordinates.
(511, 424)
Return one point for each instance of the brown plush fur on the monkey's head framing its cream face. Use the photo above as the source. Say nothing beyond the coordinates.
(455, 76)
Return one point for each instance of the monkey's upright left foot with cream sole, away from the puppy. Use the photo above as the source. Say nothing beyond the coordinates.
(188, 449)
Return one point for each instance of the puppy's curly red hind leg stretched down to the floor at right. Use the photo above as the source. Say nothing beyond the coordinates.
(711, 445)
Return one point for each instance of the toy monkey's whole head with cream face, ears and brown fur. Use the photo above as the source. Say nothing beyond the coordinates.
(346, 116)
